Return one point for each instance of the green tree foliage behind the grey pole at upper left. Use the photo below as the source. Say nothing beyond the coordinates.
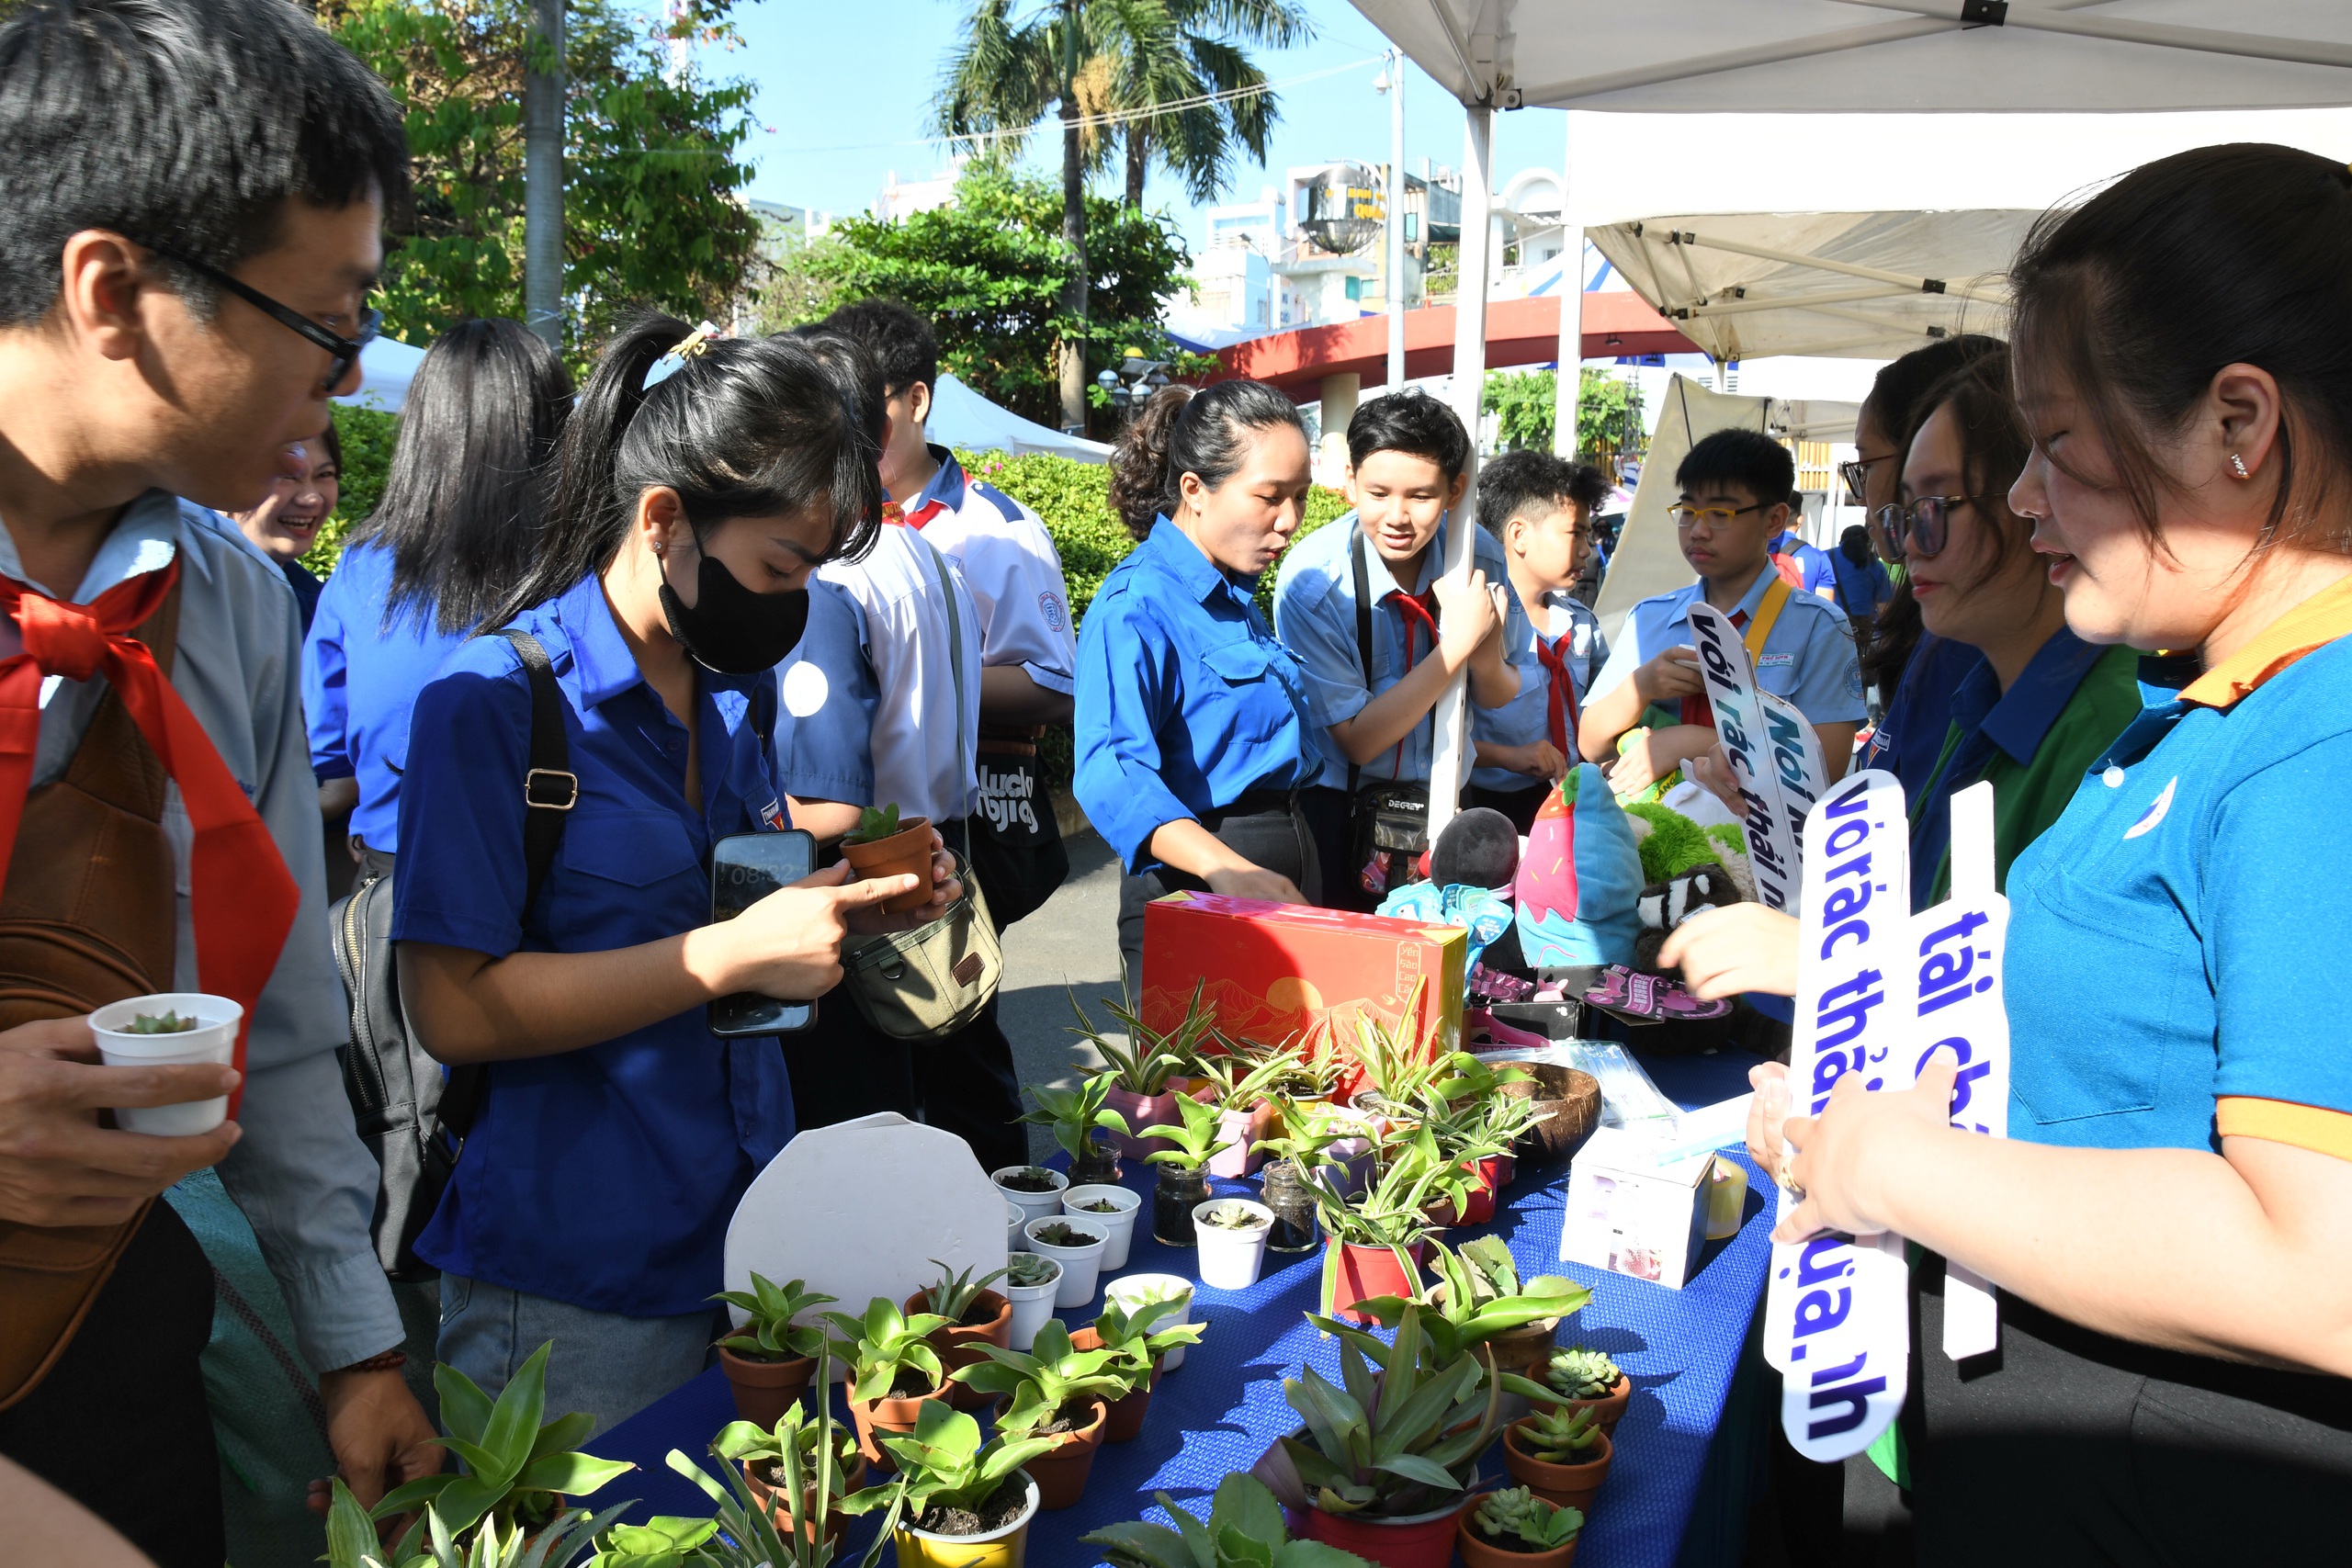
(650, 163)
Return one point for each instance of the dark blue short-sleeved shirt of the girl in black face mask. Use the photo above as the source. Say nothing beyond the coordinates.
(601, 1177)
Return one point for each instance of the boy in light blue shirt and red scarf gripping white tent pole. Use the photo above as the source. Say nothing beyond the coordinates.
(1408, 471)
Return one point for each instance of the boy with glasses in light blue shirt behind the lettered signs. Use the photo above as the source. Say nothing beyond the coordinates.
(1650, 699)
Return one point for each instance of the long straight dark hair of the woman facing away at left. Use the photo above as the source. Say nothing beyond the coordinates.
(467, 497)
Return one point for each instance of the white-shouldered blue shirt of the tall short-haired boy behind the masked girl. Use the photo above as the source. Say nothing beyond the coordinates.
(1010, 565)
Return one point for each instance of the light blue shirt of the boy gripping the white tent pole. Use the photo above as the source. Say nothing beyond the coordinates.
(1316, 617)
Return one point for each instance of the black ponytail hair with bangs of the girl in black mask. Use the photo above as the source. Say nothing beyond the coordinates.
(742, 429)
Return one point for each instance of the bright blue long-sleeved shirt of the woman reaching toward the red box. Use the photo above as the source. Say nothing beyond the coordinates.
(1184, 697)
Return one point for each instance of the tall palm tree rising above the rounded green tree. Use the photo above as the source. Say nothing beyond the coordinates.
(1109, 65)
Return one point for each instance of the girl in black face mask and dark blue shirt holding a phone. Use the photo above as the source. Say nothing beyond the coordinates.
(697, 488)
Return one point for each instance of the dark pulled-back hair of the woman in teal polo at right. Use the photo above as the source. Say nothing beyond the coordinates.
(2137, 300)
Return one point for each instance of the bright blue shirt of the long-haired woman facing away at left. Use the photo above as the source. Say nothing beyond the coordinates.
(359, 685)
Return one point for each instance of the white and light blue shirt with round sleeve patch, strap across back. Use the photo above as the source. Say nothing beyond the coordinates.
(869, 695)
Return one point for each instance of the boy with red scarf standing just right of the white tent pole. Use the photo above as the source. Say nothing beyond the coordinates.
(1539, 507)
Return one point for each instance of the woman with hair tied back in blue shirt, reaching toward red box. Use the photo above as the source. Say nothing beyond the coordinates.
(1191, 721)
